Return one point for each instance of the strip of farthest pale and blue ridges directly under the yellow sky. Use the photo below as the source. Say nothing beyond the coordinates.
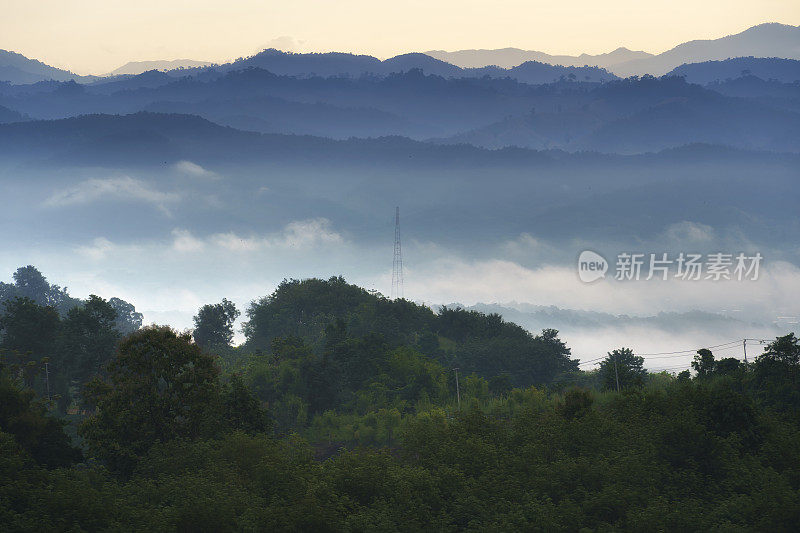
(770, 40)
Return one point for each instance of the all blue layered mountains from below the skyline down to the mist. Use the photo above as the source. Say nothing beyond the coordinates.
(556, 148)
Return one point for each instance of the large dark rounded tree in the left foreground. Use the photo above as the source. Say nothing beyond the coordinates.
(161, 387)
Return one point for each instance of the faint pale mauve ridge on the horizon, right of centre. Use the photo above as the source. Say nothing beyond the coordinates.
(512, 57)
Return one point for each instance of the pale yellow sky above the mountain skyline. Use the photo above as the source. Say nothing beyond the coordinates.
(96, 36)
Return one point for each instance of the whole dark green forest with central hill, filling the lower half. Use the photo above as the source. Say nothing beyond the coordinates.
(345, 417)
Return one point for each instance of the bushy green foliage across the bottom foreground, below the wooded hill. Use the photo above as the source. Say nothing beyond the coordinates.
(691, 457)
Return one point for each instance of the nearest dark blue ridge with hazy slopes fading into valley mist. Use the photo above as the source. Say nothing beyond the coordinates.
(472, 196)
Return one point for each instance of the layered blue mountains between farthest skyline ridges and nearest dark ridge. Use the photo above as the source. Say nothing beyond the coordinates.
(622, 116)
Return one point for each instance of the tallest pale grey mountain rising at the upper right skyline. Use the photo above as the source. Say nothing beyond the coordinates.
(764, 40)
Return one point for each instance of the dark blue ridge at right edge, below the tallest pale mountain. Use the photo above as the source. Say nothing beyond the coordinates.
(766, 68)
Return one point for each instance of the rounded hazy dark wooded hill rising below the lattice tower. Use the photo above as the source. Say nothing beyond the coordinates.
(325, 311)
